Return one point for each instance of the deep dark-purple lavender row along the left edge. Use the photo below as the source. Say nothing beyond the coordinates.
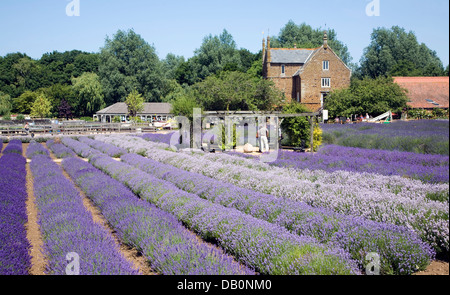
(14, 245)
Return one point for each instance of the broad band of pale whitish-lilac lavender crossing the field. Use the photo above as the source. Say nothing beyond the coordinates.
(394, 200)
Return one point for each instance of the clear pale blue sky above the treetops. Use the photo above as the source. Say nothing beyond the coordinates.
(35, 27)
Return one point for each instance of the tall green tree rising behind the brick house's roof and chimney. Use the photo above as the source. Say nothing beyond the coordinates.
(304, 36)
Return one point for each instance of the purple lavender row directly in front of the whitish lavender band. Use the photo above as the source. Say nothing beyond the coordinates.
(356, 235)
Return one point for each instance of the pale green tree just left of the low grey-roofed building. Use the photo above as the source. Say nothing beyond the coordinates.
(89, 92)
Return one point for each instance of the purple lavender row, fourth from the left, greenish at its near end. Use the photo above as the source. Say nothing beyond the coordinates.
(268, 248)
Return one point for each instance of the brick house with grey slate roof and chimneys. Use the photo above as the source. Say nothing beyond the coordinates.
(305, 75)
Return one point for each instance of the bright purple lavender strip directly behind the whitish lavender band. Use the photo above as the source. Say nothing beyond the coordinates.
(427, 168)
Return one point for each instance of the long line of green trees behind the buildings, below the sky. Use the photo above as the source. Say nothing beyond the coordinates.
(219, 76)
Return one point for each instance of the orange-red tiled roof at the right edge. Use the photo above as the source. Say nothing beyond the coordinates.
(426, 92)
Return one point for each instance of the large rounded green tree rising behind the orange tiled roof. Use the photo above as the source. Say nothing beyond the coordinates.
(393, 50)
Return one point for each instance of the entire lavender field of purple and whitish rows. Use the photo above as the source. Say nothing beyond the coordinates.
(193, 213)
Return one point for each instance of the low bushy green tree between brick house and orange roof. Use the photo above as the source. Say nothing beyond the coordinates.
(372, 96)
